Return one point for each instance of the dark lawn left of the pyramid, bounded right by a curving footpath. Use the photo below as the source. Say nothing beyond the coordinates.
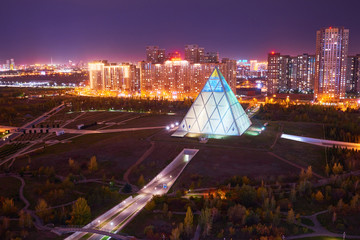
(115, 152)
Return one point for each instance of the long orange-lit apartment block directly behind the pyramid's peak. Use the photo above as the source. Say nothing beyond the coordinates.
(180, 78)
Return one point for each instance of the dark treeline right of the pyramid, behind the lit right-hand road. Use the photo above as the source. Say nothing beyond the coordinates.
(339, 125)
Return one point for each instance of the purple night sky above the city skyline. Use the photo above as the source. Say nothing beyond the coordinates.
(36, 30)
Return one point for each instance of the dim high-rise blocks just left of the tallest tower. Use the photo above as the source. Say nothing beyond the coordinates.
(290, 74)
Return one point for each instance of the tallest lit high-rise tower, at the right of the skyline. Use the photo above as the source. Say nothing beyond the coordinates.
(331, 56)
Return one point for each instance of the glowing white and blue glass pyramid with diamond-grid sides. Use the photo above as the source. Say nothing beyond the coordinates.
(215, 111)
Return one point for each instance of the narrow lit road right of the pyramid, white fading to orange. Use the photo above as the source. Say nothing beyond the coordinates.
(321, 142)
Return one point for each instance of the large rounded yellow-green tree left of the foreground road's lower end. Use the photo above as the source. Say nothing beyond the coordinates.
(81, 213)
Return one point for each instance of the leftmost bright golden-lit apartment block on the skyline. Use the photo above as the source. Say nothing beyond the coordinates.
(114, 77)
